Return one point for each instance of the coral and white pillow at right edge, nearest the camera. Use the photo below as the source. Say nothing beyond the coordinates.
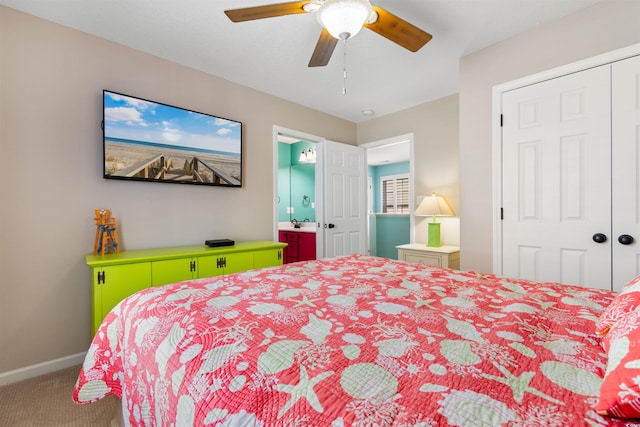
(620, 389)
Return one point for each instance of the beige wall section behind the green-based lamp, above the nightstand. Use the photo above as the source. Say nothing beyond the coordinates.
(436, 152)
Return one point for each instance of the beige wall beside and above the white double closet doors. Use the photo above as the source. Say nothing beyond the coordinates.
(607, 26)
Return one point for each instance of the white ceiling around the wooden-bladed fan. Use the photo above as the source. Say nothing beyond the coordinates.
(271, 55)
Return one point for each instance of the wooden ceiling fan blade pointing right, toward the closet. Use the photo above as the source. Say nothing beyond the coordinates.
(398, 30)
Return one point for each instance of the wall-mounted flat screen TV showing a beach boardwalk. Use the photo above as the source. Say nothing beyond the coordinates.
(154, 142)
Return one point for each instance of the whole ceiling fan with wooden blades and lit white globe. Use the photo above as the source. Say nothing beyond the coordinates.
(340, 19)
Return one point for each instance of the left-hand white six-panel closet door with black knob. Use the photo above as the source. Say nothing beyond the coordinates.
(556, 148)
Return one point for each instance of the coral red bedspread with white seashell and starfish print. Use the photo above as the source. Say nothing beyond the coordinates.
(352, 341)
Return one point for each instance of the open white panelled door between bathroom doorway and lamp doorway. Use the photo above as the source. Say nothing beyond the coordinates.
(344, 199)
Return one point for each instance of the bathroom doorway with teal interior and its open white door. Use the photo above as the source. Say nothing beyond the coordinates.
(336, 200)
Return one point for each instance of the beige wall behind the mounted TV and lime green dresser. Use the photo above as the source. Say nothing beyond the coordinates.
(51, 81)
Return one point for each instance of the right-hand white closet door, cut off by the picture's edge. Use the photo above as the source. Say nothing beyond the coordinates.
(626, 161)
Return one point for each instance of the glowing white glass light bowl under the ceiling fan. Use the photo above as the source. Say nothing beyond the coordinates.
(343, 18)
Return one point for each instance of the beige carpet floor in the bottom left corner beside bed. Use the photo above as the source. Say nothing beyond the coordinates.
(46, 401)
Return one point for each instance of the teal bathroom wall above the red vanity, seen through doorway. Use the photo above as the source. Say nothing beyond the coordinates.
(295, 180)
